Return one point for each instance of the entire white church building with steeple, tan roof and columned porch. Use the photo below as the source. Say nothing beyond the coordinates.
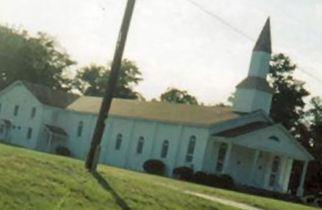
(242, 141)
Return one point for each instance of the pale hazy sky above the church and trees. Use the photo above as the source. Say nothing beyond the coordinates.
(174, 43)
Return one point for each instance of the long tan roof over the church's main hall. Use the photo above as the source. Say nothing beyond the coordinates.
(157, 111)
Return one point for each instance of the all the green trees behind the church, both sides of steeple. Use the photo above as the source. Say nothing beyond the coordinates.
(40, 59)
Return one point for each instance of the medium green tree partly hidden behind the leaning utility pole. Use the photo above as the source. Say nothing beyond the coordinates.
(92, 80)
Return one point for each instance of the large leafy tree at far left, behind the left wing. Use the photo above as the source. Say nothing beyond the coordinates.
(36, 59)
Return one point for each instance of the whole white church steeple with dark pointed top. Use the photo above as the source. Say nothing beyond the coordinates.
(254, 92)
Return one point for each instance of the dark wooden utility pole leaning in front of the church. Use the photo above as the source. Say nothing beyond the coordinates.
(93, 154)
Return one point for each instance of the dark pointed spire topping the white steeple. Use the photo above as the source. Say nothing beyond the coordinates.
(264, 41)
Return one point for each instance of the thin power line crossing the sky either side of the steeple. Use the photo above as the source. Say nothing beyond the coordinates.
(240, 32)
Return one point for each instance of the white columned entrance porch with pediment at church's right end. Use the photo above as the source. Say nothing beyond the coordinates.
(261, 157)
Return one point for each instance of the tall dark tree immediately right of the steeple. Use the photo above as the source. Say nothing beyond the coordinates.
(288, 98)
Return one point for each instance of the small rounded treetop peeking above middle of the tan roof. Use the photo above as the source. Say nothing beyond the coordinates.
(177, 96)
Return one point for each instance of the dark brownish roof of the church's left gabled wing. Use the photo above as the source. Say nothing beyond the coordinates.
(50, 97)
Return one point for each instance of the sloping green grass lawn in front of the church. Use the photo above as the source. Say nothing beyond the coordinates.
(32, 180)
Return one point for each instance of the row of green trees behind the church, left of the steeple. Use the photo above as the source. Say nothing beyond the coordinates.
(40, 59)
